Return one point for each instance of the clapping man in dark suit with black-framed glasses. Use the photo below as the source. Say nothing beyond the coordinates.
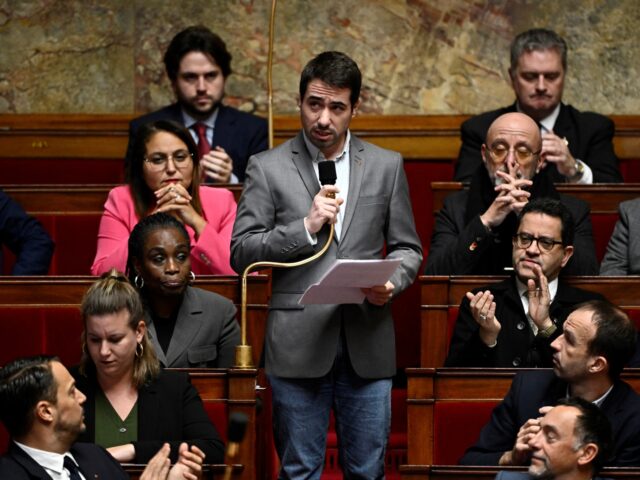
(512, 323)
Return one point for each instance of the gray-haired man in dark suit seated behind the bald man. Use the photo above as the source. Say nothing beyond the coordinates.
(577, 146)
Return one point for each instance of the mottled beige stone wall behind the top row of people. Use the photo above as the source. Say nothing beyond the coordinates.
(417, 56)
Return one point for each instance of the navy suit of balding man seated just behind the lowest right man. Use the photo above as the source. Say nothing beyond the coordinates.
(533, 389)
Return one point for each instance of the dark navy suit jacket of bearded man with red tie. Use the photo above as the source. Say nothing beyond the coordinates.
(240, 134)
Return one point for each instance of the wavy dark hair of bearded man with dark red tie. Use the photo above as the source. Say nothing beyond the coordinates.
(197, 38)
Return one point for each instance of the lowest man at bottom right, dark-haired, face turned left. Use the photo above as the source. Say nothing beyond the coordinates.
(572, 444)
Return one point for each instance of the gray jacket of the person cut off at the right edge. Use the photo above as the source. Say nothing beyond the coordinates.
(623, 252)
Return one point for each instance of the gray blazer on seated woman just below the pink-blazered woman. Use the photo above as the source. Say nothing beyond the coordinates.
(205, 334)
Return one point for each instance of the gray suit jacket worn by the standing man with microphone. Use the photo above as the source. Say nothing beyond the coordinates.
(280, 185)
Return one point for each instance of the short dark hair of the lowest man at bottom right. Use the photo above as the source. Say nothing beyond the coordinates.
(592, 426)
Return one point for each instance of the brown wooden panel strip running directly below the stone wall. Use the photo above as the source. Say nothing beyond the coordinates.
(427, 137)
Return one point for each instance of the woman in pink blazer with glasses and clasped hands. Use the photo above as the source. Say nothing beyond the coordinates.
(164, 176)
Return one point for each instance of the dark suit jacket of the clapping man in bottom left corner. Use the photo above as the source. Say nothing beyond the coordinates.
(94, 462)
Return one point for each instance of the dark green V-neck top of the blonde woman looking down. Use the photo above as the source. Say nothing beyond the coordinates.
(111, 430)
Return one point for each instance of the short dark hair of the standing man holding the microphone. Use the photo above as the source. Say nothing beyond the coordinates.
(333, 68)
